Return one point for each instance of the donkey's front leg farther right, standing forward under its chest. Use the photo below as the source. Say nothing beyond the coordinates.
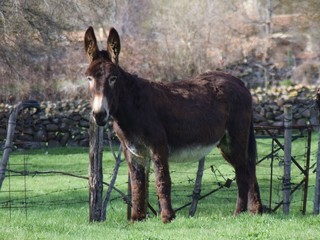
(163, 183)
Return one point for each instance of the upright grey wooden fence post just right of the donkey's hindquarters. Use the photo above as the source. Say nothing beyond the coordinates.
(287, 158)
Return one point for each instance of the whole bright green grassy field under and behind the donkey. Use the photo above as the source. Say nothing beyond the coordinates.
(55, 206)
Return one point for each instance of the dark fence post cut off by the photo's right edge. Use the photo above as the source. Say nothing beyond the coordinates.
(317, 183)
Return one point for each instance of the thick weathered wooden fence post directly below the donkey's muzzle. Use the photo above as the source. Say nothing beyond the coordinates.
(95, 172)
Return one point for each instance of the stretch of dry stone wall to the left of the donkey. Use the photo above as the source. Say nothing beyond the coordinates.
(63, 123)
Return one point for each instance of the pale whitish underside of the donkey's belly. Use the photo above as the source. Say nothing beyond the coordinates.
(190, 153)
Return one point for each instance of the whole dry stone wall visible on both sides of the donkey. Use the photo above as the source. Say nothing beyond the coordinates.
(66, 123)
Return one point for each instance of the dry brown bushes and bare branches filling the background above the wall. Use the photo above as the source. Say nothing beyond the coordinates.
(42, 57)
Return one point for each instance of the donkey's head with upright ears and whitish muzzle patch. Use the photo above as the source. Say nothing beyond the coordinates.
(102, 74)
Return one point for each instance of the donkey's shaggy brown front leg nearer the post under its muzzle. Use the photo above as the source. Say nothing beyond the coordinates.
(139, 191)
